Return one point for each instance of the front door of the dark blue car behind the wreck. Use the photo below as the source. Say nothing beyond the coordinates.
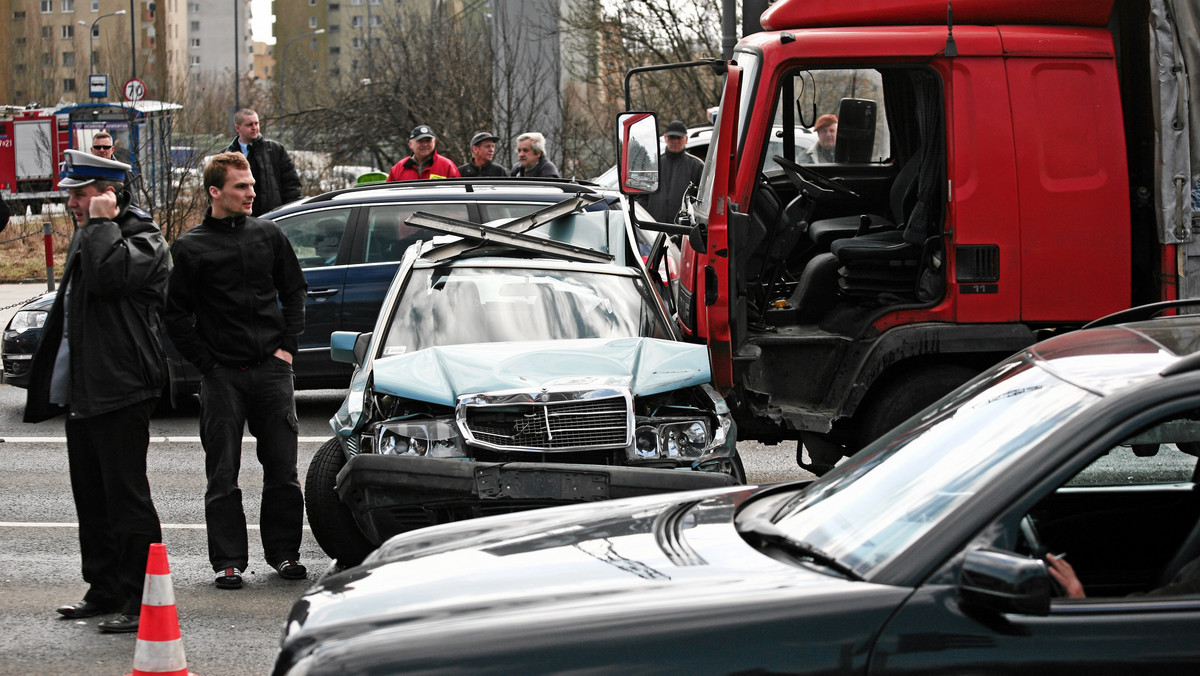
(322, 243)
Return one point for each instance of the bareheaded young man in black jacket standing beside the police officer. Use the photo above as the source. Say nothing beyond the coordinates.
(236, 310)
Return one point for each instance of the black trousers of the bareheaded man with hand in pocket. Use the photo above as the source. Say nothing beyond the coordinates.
(263, 398)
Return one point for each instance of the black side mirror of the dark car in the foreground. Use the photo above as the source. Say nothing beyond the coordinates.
(1005, 583)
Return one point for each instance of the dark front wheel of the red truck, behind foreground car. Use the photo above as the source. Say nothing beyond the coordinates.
(907, 396)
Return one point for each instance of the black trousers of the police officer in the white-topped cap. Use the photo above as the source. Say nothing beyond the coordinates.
(107, 458)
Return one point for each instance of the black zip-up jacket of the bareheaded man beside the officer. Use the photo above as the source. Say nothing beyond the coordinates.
(237, 294)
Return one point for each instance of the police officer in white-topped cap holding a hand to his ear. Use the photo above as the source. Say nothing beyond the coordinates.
(101, 362)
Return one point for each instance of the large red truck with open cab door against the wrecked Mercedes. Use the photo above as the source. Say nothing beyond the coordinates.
(1003, 171)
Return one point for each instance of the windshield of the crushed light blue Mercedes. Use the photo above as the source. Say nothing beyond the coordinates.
(467, 304)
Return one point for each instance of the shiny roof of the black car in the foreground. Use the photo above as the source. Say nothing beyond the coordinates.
(1112, 358)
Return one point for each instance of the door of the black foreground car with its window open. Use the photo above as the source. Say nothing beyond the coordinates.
(1121, 627)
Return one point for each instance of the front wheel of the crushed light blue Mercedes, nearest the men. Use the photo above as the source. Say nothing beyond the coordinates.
(332, 522)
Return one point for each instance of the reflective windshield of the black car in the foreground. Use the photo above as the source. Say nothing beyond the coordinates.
(880, 502)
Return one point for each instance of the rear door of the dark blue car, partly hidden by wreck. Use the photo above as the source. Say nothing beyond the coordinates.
(381, 244)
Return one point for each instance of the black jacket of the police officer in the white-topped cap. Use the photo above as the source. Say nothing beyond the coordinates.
(117, 273)
